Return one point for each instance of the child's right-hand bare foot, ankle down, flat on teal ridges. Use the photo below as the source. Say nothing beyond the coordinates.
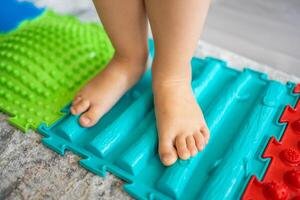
(181, 125)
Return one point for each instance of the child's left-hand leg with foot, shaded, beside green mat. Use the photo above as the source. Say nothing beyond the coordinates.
(126, 25)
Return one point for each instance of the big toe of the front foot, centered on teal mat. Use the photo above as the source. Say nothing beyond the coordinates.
(167, 152)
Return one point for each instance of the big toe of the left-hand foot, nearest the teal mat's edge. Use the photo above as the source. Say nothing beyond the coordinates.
(90, 117)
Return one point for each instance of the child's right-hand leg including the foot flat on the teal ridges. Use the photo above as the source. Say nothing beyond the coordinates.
(176, 27)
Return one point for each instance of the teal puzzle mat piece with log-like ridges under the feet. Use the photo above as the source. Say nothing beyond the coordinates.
(242, 109)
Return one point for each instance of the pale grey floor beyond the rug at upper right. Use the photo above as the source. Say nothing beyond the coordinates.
(267, 31)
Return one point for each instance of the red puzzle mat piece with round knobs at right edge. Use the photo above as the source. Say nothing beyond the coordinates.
(282, 178)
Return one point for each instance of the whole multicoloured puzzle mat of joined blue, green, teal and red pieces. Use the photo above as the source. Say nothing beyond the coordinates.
(254, 149)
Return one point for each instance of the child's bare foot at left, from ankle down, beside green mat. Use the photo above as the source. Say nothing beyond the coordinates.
(105, 89)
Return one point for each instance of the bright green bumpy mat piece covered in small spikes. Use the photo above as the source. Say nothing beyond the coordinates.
(44, 62)
